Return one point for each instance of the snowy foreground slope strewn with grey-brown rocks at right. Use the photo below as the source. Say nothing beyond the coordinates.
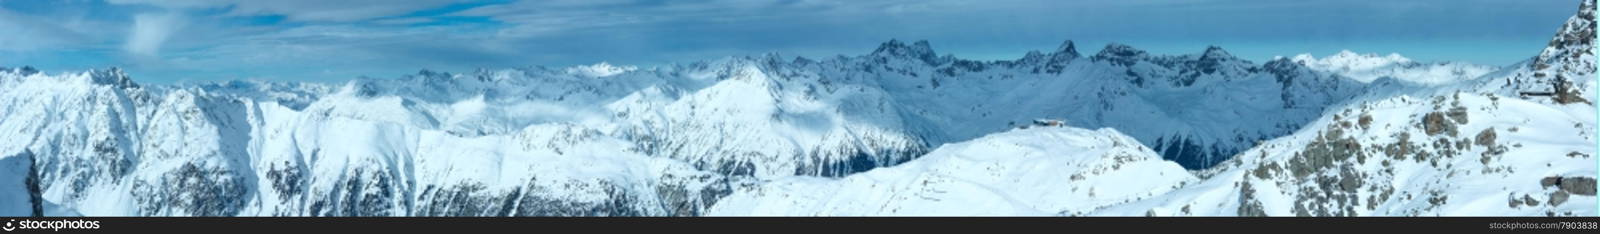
(1439, 155)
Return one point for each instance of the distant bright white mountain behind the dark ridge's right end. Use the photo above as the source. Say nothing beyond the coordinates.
(1370, 67)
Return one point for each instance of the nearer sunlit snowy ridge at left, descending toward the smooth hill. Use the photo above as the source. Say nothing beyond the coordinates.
(106, 147)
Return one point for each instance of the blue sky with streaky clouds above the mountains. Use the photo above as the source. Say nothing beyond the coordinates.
(335, 41)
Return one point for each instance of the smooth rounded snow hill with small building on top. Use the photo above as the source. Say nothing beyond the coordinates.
(1042, 171)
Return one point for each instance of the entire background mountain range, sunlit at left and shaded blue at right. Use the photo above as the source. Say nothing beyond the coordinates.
(666, 140)
